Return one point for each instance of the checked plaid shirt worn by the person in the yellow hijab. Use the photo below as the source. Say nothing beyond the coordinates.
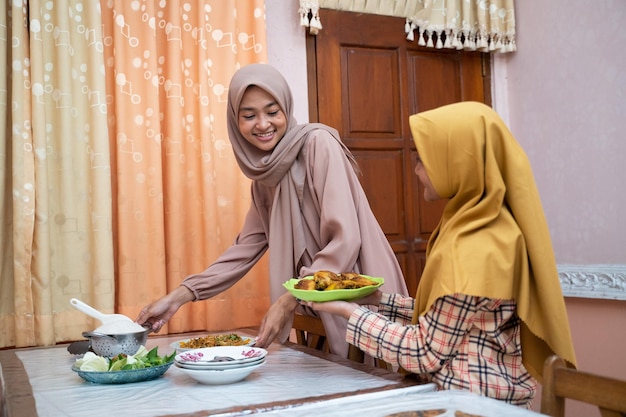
(462, 342)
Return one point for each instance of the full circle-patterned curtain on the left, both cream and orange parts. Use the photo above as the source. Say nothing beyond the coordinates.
(116, 174)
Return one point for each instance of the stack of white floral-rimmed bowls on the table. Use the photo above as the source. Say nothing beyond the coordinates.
(221, 364)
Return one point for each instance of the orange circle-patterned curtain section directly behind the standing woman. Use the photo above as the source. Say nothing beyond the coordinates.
(179, 196)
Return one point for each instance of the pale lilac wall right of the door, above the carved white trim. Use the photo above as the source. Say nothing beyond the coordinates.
(566, 88)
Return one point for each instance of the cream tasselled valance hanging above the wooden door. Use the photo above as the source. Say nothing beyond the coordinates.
(475, 25)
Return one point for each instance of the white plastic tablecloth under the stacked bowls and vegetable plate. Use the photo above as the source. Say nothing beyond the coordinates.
(287, 375)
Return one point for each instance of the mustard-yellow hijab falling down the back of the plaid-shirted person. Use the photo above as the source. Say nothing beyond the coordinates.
(493, 239)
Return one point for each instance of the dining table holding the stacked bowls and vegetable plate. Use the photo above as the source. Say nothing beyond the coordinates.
(40, 382)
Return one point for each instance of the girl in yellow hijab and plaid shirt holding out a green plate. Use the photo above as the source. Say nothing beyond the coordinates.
(489, 308)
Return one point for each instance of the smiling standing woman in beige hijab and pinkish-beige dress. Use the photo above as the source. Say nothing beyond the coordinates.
(308, 208)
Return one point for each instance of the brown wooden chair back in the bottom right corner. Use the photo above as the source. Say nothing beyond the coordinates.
(561, 382)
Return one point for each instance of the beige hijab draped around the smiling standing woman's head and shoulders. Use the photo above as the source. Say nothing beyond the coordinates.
(280, 168)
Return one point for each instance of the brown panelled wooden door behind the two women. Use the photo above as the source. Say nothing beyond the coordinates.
(366, 79)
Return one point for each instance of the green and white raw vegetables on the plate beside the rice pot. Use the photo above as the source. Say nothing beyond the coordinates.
(142, 359)
